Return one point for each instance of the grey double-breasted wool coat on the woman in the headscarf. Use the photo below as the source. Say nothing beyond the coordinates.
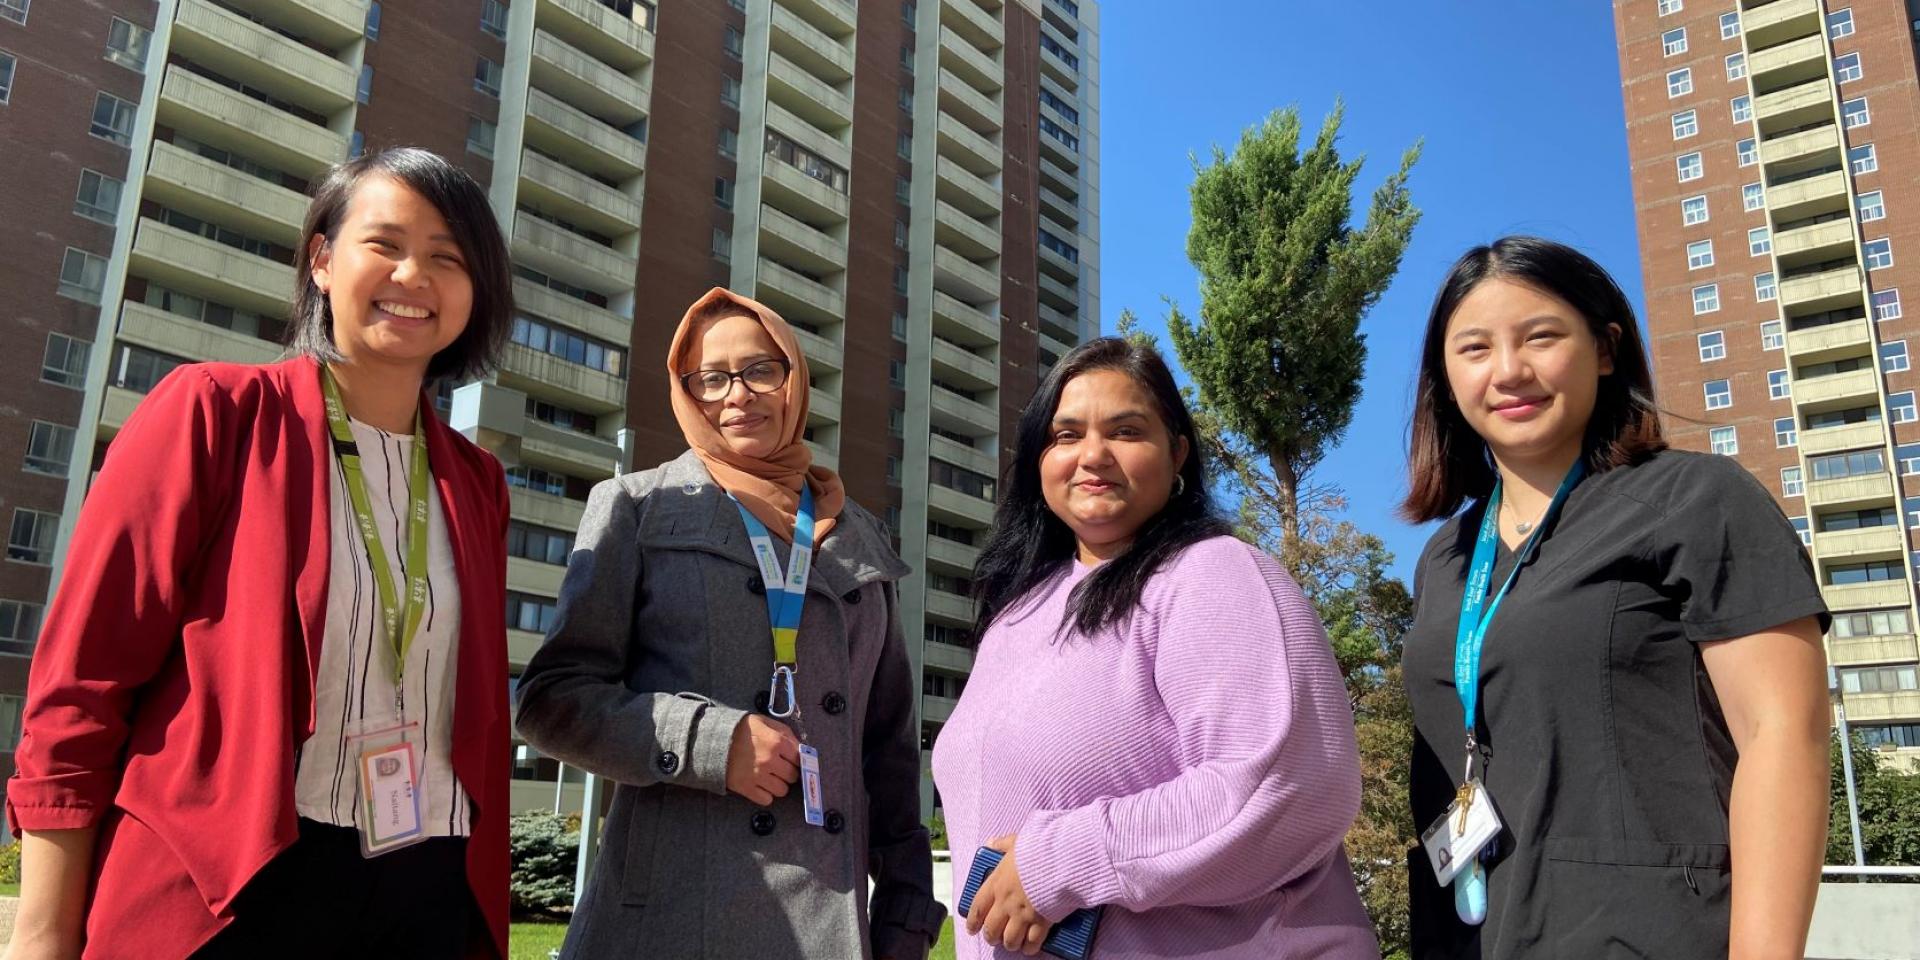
(660, 650)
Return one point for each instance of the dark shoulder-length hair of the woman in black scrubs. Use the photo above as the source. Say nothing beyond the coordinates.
(1447, 460)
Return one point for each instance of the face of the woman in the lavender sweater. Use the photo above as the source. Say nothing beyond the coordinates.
(1113, 460)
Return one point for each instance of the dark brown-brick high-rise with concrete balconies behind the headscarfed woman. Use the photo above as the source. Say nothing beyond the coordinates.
(915, 185)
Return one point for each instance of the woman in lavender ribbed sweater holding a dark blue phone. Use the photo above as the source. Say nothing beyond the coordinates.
(1155, 723)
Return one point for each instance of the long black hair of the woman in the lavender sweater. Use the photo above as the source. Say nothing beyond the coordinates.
(1030, 544)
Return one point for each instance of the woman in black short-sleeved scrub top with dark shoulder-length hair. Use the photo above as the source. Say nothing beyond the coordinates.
(1652, 719)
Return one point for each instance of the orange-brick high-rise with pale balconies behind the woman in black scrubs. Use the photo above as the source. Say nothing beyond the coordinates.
(1777, 178)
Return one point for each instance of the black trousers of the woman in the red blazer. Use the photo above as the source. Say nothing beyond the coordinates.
(322, 900)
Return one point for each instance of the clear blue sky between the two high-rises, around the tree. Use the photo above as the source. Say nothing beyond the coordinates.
(1520, 105)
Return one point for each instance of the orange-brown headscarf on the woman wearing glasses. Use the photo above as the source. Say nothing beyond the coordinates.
(767, 487)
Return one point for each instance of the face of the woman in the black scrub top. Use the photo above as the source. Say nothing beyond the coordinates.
(1525, 370)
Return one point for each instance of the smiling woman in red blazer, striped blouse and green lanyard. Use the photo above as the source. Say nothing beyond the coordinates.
(233, 729)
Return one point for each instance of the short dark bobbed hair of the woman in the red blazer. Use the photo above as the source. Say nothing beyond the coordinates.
(464, 204)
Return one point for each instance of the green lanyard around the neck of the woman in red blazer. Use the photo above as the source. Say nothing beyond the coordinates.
(402, 613)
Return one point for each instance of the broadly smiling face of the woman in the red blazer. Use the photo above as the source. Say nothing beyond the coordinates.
(395, 277)
